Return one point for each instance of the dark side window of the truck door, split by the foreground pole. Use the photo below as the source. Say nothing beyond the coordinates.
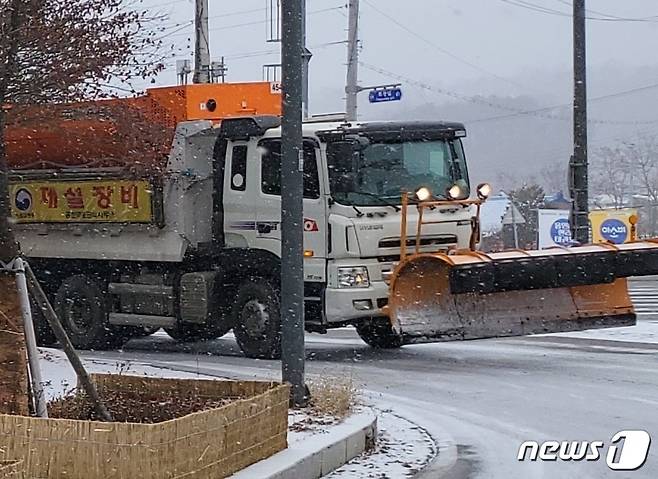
(271, 169)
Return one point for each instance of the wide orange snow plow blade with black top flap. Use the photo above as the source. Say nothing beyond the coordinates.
(470, 295)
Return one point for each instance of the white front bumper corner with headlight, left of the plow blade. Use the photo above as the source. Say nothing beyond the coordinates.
(346, 305)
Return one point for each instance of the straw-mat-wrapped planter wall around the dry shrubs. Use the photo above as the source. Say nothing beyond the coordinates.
(215, 443)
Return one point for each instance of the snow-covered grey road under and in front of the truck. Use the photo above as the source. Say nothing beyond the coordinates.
(480, 399)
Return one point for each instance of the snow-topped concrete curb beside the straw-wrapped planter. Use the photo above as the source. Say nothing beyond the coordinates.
(323, 454)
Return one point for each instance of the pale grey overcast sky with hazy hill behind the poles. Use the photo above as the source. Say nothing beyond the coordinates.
(446, 52)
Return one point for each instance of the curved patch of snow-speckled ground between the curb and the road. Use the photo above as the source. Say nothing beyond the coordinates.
(403, 448)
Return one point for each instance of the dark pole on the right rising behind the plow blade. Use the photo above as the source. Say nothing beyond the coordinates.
(579, 163)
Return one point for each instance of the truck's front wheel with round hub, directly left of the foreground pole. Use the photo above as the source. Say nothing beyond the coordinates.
(257, 319)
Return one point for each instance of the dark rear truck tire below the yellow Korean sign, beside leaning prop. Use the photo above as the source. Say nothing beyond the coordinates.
(81, 307)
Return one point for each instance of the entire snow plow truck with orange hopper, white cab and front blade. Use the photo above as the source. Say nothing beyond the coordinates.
(163, 211)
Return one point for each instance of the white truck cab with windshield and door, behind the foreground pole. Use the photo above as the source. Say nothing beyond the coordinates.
(354, 175)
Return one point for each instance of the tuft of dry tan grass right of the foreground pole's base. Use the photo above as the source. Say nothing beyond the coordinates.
(333, 395)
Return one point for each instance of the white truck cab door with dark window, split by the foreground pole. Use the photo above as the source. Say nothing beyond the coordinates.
(268, 211)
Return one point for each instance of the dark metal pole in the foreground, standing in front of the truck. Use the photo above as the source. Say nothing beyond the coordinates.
(292, 215)
